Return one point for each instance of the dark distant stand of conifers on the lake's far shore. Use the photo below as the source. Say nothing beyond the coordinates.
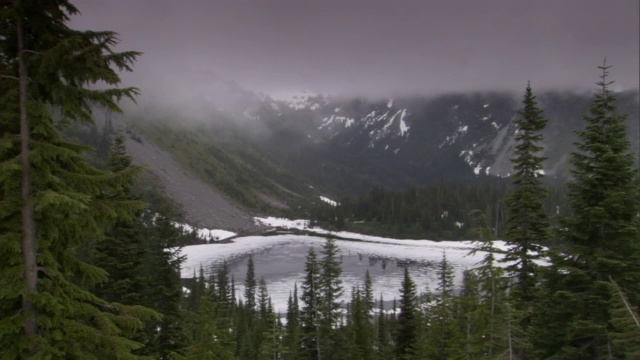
(436, 211)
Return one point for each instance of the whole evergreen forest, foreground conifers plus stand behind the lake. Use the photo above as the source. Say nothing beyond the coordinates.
(90, 261)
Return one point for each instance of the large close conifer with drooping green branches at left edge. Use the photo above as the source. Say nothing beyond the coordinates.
(50, 196)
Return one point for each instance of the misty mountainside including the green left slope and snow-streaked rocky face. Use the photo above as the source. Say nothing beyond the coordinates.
(273, 156)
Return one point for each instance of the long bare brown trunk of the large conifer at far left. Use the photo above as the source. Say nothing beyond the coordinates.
(28, 222)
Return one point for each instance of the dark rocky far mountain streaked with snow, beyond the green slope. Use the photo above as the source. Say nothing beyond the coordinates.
(352, 145)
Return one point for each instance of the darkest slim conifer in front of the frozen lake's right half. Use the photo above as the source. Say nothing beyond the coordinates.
(408, 322)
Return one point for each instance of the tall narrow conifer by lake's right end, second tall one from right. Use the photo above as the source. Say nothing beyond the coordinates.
(527, 225)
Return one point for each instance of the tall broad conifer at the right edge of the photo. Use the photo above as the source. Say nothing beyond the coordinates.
(602, 234)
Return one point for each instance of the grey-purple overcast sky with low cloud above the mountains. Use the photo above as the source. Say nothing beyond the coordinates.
(373, 47)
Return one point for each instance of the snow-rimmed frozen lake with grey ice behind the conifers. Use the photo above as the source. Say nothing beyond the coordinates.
(280, 260)
